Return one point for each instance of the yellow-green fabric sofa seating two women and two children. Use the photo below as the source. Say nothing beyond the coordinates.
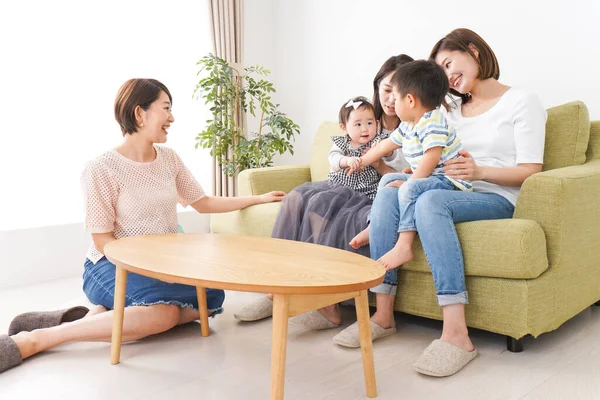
(526, 275)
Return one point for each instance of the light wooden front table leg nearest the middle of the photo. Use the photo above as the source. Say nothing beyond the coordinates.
(278, 349)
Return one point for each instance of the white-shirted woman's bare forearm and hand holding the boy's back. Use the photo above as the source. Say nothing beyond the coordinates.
(466, 168)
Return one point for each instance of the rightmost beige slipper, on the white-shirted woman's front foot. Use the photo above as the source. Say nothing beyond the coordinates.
(443, 359)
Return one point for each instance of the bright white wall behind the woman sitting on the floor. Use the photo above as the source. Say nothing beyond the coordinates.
(62, 62)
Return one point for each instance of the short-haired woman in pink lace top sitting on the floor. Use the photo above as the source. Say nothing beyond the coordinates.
(130, 190)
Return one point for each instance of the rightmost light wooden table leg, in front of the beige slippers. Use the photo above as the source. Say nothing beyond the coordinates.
(364, 329)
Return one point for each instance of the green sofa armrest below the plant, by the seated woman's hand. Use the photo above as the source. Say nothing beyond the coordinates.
(262, 180)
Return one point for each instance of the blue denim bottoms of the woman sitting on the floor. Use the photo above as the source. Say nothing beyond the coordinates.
(99, 287)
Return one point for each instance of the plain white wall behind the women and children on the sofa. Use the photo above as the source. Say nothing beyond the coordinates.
(327, 51)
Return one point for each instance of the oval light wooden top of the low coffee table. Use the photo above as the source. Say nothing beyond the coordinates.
(245, 263)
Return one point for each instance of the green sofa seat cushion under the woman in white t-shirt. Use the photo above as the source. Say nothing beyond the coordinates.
(505, 248)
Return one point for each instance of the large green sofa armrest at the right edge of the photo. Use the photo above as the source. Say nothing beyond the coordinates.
(564, 202)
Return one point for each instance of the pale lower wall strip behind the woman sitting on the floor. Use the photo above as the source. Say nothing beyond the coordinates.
(35, 255)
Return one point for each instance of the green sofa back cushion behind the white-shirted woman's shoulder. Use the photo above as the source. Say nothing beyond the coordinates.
(567, 135)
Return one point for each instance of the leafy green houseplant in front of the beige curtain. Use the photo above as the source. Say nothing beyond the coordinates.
(231, 93)
